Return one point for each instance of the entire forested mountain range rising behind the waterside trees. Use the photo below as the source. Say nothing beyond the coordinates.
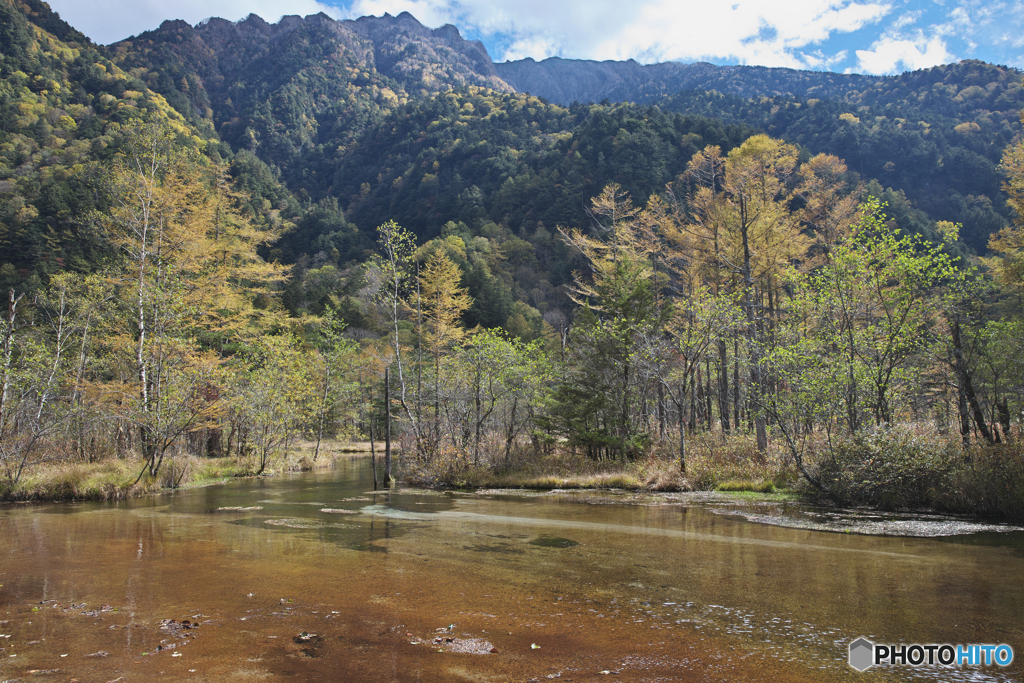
(332, 129)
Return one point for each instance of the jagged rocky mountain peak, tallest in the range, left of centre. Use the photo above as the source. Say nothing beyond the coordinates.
(304, 87)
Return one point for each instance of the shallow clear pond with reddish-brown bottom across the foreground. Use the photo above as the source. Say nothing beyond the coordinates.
(316, 578)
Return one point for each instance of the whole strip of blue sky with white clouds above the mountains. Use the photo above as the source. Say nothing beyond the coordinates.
(860, 36)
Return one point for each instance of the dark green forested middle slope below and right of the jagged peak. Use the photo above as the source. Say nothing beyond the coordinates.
(522, 164)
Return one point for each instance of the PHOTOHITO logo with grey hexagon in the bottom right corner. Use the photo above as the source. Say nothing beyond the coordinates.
(865, 655)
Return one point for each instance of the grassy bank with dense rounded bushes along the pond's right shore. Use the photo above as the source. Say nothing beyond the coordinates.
(905, 468)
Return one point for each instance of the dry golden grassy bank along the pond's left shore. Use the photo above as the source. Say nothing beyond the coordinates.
(115, 479)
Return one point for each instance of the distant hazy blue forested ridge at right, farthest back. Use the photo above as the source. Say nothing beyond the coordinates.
(935, 135)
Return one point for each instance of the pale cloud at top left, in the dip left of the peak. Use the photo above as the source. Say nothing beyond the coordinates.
(112, 21)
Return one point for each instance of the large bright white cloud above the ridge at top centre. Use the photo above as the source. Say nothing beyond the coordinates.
(764, 32)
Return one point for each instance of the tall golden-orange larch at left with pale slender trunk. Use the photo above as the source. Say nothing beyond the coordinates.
(190, 269)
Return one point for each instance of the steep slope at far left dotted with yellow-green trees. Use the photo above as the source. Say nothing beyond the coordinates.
(62, 101)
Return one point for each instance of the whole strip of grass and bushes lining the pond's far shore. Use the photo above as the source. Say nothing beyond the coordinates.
(895, 469)
